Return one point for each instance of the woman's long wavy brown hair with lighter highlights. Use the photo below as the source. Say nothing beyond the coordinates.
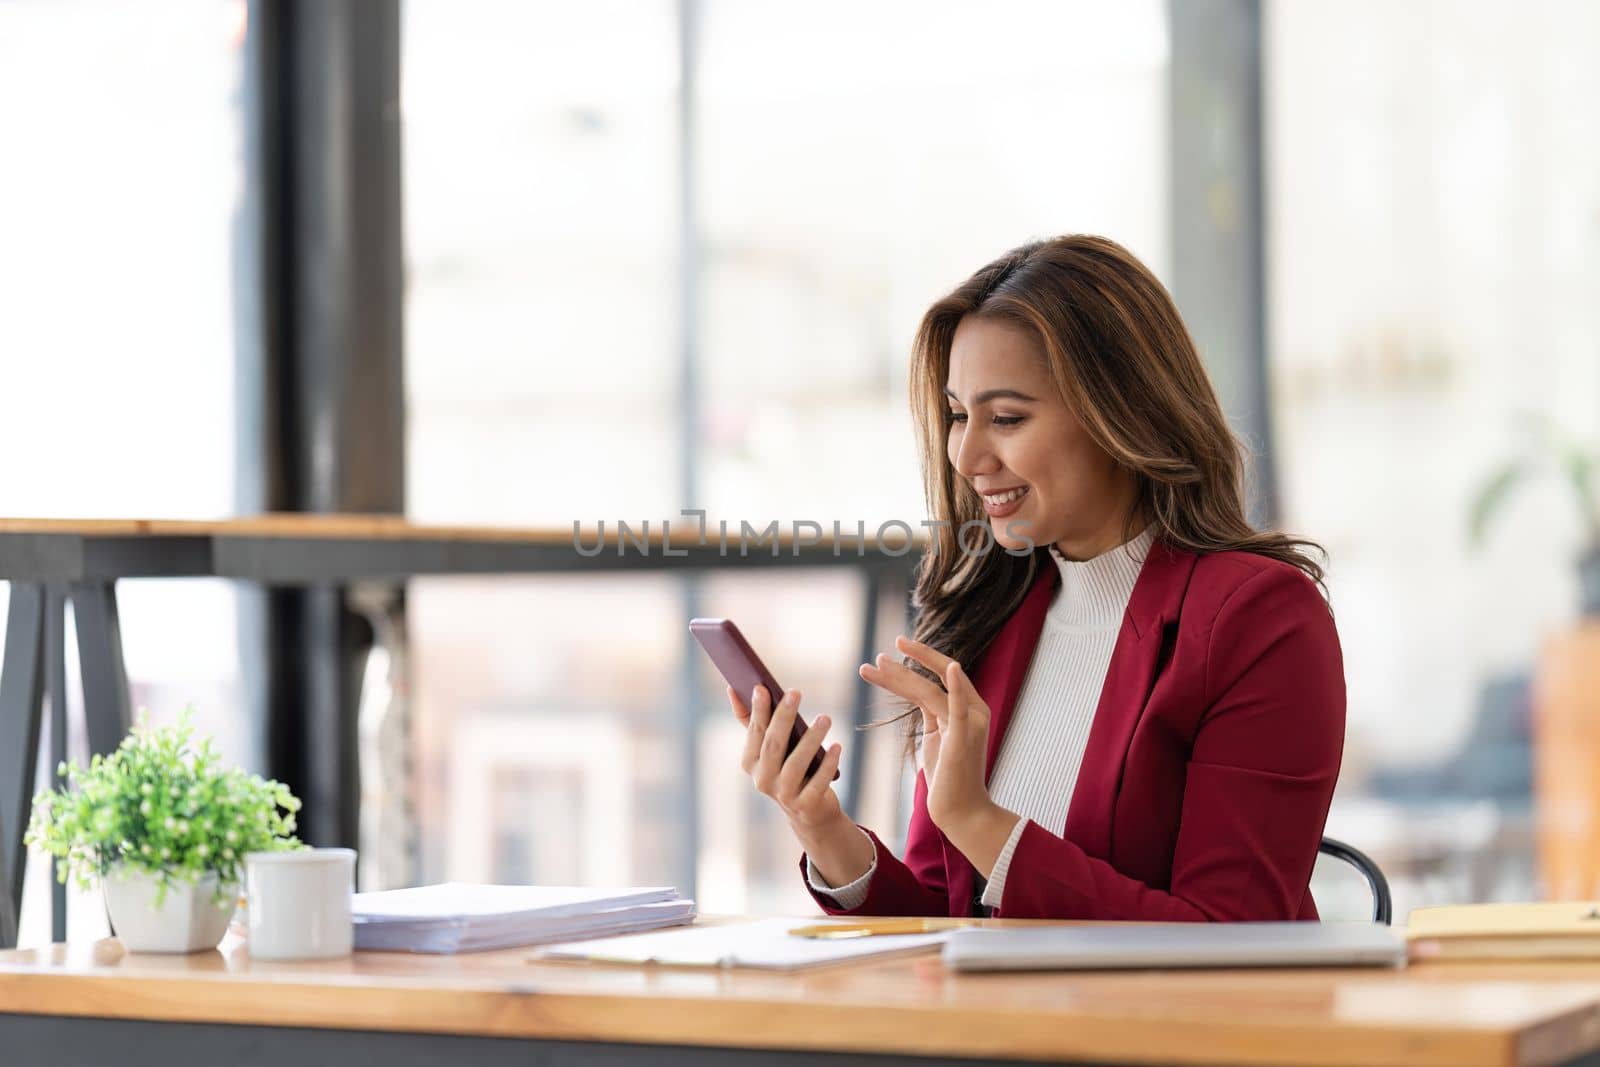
(1129, 370)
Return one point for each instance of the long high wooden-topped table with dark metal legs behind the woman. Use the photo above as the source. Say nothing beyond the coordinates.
(55, 562)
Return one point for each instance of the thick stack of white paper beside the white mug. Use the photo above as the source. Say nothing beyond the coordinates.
(457, 917)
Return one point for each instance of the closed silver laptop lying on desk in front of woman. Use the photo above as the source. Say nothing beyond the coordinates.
(1122, 946)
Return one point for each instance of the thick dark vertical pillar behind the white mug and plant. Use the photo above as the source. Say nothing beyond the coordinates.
(319, 263)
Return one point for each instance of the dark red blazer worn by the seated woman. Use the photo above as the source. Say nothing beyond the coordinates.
(1210, 764)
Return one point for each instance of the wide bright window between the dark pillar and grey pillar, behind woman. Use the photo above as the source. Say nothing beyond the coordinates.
(842, 182)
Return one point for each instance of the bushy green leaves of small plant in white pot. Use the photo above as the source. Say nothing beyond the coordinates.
(161, 804)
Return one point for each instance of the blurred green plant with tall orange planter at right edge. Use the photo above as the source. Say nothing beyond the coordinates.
(1567, 677)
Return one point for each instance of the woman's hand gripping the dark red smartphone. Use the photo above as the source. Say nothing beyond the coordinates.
(841, 852)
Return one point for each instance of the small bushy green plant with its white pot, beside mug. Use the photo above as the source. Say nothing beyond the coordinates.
(164, 829)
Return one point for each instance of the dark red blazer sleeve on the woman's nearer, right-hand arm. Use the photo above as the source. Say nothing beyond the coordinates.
(1258, 788)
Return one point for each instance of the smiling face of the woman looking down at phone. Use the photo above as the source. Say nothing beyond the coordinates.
(1010, 430)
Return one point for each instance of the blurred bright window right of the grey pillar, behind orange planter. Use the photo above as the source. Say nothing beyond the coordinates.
(1434, 263)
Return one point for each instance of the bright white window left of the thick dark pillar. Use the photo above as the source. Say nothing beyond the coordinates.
(122, 172)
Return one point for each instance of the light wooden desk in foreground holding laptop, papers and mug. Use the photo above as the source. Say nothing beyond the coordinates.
(495, 1009)
